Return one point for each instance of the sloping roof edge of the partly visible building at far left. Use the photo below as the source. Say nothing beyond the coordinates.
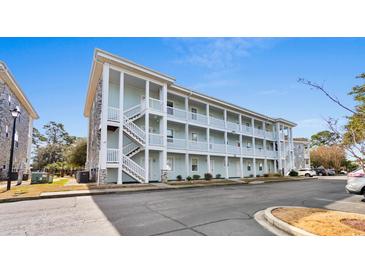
(9, 79)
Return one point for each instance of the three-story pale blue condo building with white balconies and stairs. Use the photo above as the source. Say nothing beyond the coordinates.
(141, 122)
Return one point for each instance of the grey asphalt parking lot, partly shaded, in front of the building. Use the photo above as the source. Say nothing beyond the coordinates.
(223, 210)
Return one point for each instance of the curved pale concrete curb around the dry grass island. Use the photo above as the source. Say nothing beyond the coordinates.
(292, 230)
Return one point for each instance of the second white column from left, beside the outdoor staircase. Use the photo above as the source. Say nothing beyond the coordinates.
(120, 137)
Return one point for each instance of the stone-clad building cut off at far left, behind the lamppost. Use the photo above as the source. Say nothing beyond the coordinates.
(12, 96)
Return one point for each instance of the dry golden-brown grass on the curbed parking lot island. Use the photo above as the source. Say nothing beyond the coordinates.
(323, 222)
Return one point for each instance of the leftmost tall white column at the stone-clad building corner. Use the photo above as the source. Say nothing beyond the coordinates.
(104, 120)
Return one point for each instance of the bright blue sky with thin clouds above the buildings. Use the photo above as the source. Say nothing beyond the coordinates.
(257, 73)
